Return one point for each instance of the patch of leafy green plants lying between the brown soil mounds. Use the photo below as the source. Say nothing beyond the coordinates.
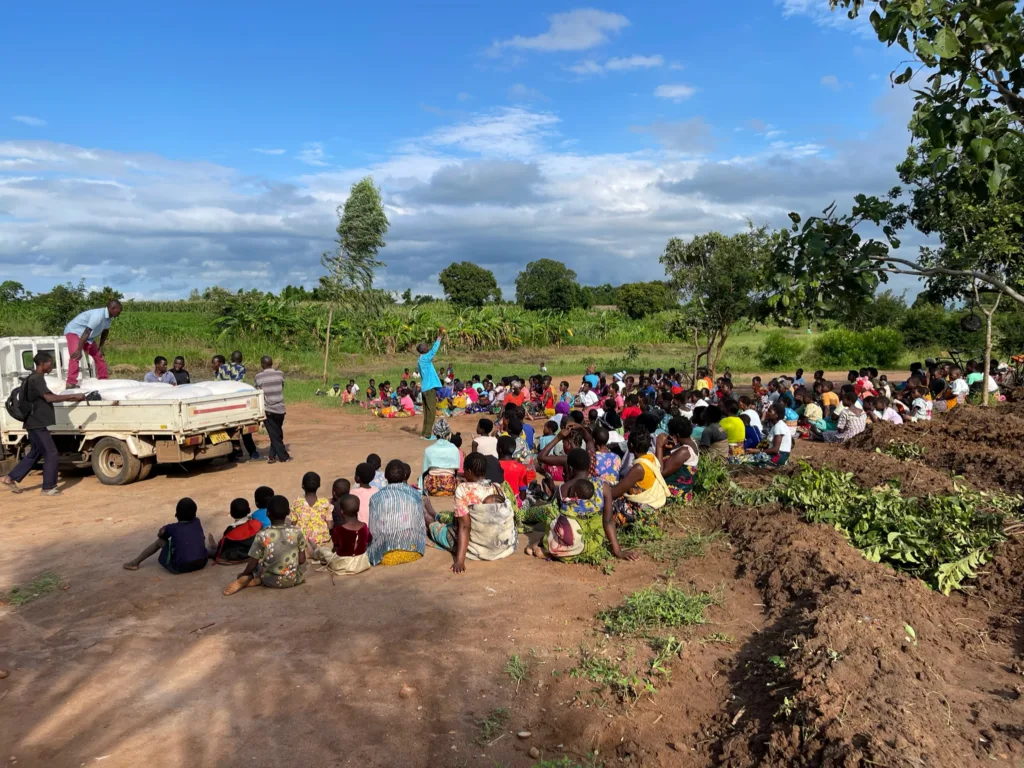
(943, 540)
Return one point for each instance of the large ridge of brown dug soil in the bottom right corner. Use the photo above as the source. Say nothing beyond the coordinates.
(864, 666)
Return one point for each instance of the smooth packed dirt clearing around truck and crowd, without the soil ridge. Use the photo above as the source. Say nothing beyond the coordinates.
(148, 668)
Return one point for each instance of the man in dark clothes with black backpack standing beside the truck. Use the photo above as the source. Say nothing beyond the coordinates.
(40, 400)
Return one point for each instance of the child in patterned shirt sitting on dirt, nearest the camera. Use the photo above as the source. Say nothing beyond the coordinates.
(278, 557)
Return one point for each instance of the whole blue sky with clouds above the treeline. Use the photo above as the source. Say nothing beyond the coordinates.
(162, 148)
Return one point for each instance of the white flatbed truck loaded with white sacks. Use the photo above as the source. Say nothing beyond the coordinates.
(122, 441)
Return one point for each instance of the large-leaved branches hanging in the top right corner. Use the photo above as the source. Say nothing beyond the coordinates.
(973, 52)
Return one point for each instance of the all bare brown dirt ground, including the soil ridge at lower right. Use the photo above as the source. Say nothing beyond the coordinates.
(805, 661)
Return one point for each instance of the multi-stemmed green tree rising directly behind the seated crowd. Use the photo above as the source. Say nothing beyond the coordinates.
(719, 276)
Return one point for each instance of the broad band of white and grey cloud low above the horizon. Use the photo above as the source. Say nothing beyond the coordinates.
(492, 188)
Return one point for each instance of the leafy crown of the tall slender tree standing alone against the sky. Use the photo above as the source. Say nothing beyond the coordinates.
(362, 227)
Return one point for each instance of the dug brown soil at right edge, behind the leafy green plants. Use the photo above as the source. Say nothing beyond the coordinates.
(974, 443)
